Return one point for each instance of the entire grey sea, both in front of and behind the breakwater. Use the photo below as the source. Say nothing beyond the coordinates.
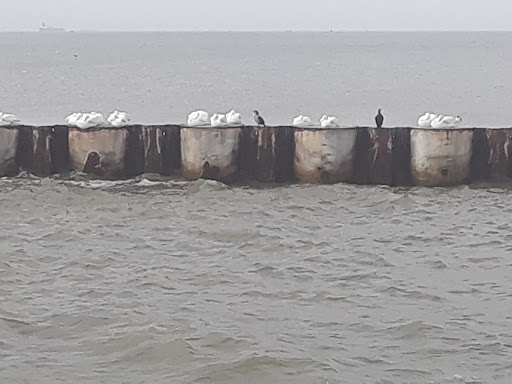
(166, 281)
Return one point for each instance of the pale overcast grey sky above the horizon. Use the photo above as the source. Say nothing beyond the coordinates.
(257, 15)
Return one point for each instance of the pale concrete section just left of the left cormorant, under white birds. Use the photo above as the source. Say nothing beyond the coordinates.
(210, 153)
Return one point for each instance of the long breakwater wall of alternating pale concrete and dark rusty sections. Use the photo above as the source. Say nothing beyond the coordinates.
(282, 154)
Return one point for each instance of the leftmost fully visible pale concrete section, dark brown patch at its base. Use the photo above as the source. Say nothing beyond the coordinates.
(98, 151)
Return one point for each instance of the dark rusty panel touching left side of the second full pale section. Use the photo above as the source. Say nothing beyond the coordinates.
(162, 149)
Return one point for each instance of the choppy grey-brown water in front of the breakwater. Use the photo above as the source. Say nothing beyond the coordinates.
(196, 282)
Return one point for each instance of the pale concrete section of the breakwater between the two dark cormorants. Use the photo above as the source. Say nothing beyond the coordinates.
(324, 155)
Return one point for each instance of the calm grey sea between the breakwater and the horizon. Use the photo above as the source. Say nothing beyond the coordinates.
(161, 77)
